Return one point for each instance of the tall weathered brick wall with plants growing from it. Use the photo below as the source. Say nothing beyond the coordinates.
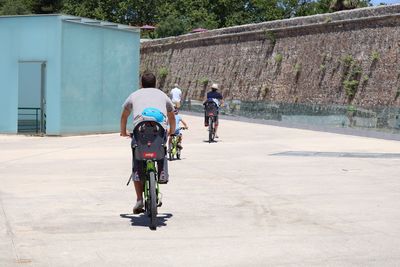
(349, 57)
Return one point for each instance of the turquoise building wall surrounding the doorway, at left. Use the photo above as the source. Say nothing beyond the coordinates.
(28, 38)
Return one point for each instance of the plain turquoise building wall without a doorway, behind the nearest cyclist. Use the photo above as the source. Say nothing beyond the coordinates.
(100, 68)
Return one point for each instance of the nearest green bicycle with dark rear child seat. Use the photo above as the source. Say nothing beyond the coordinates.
(149, 149)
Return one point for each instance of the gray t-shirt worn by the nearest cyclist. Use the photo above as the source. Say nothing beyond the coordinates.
(148, 98)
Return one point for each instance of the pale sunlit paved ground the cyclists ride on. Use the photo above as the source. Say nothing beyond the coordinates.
(262, 196)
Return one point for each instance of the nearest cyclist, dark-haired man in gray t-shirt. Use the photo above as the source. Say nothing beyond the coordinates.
(146, 97)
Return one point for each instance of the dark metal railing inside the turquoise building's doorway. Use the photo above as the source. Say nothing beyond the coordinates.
(29, 120)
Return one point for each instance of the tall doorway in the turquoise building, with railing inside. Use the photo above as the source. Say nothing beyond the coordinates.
(32, 97)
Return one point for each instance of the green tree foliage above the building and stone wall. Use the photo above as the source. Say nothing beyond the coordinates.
(174, 17)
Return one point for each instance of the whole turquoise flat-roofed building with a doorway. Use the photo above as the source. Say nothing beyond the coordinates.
(63, 75)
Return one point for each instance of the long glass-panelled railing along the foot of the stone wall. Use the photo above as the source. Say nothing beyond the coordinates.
(382, 119)
